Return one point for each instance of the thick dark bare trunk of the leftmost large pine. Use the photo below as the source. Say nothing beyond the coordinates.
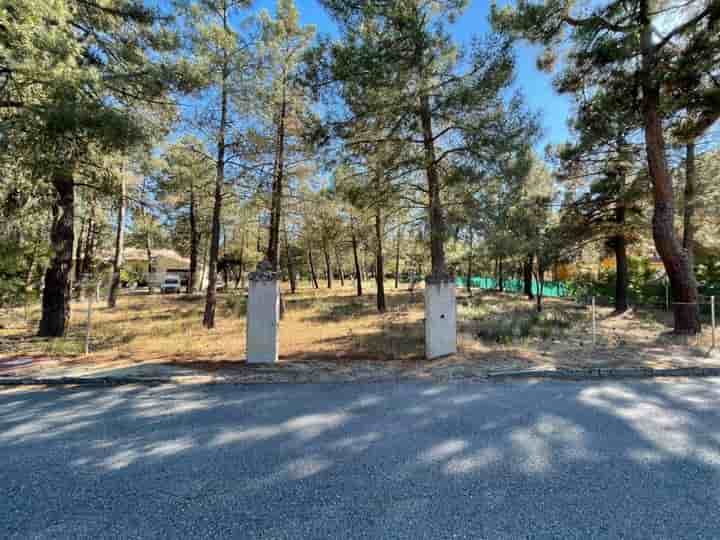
(56, 294)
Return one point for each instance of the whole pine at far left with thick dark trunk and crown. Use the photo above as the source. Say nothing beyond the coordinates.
(98, 62)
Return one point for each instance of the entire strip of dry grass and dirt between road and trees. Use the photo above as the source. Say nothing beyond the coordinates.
(328, 334)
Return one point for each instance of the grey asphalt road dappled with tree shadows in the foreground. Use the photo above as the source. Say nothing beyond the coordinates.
(347, 461)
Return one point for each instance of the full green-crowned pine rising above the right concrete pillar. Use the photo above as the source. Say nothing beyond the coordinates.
(415, 104)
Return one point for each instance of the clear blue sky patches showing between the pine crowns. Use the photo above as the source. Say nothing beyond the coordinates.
(535, 85)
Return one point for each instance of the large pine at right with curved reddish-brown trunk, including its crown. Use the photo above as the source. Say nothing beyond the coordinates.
(617, 48)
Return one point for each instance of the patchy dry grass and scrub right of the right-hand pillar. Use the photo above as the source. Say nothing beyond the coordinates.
(562, 335)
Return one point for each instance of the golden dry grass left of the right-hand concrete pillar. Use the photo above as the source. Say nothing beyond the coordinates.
(319, 324)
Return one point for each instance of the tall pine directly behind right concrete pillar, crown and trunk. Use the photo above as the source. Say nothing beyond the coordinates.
(405, 82)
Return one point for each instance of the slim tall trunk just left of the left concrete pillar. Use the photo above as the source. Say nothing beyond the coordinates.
(211, 297)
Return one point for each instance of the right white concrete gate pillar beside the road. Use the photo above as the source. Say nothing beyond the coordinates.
(440, 317)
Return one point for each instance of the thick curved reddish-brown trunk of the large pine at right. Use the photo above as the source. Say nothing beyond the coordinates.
(675, 259)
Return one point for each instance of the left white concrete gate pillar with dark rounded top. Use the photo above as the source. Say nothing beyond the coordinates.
(263, 315)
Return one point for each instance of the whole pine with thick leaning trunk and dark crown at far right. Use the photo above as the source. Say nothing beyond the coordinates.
(632, 66)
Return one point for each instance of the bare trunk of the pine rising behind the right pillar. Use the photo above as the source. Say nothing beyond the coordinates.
(436, 217)
